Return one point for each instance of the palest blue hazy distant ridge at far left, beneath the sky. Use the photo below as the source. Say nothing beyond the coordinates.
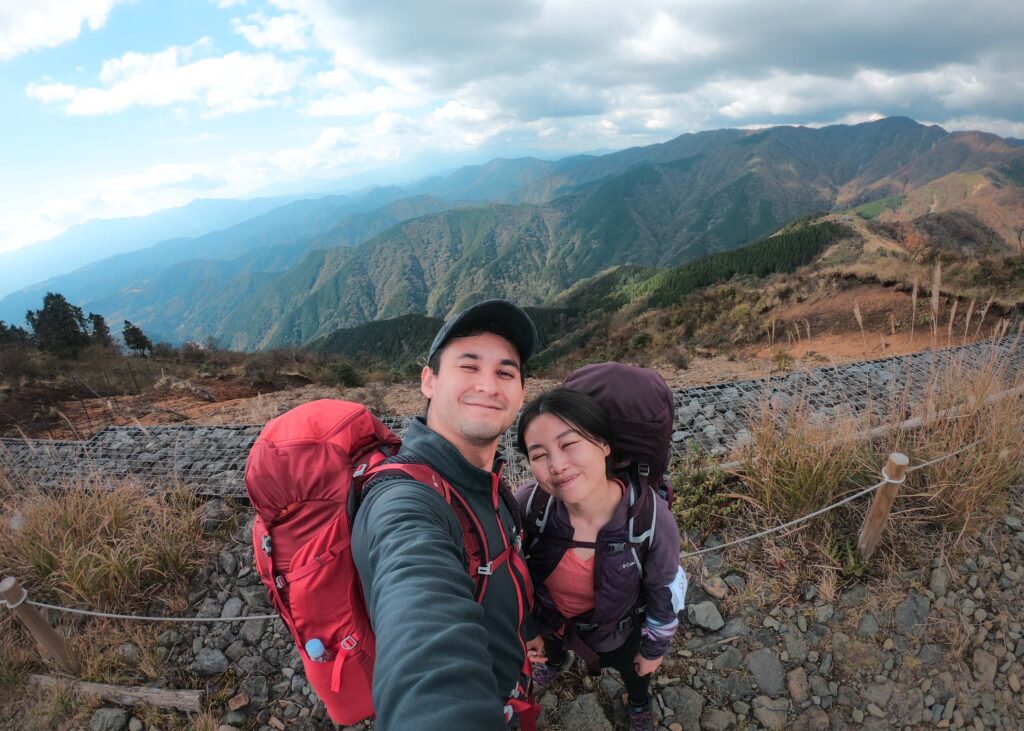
(98, 240)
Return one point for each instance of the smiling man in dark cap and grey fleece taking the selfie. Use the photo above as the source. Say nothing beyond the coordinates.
(444, 661)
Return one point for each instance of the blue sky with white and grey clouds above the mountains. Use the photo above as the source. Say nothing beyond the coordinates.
(120, 108)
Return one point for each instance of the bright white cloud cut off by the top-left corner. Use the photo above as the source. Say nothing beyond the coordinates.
(45, 24)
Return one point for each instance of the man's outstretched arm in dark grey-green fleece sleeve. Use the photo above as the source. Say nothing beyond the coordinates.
(434, 669)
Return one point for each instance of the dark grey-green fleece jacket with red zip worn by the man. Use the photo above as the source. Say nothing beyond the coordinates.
(444, 661)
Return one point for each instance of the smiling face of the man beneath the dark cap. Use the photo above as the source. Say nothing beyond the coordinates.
(477, 393)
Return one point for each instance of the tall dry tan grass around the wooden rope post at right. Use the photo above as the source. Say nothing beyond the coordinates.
(795, 463)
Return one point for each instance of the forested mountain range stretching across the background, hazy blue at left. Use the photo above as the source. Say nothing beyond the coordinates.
(529, 230)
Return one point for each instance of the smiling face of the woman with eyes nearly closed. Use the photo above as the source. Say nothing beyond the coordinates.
(566, 464)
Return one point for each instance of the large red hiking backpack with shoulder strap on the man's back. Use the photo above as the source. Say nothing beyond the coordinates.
(305, 477)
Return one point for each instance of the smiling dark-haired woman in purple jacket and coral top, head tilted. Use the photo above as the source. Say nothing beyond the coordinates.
(611, 599)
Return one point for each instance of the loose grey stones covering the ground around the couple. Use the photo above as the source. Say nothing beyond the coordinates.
(947, 652)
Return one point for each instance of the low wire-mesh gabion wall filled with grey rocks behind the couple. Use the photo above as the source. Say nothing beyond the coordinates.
(714, 418)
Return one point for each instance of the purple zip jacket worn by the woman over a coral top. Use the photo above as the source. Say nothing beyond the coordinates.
(623, 582)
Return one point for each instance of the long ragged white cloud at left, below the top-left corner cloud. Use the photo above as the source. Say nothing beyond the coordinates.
(180, 75)
